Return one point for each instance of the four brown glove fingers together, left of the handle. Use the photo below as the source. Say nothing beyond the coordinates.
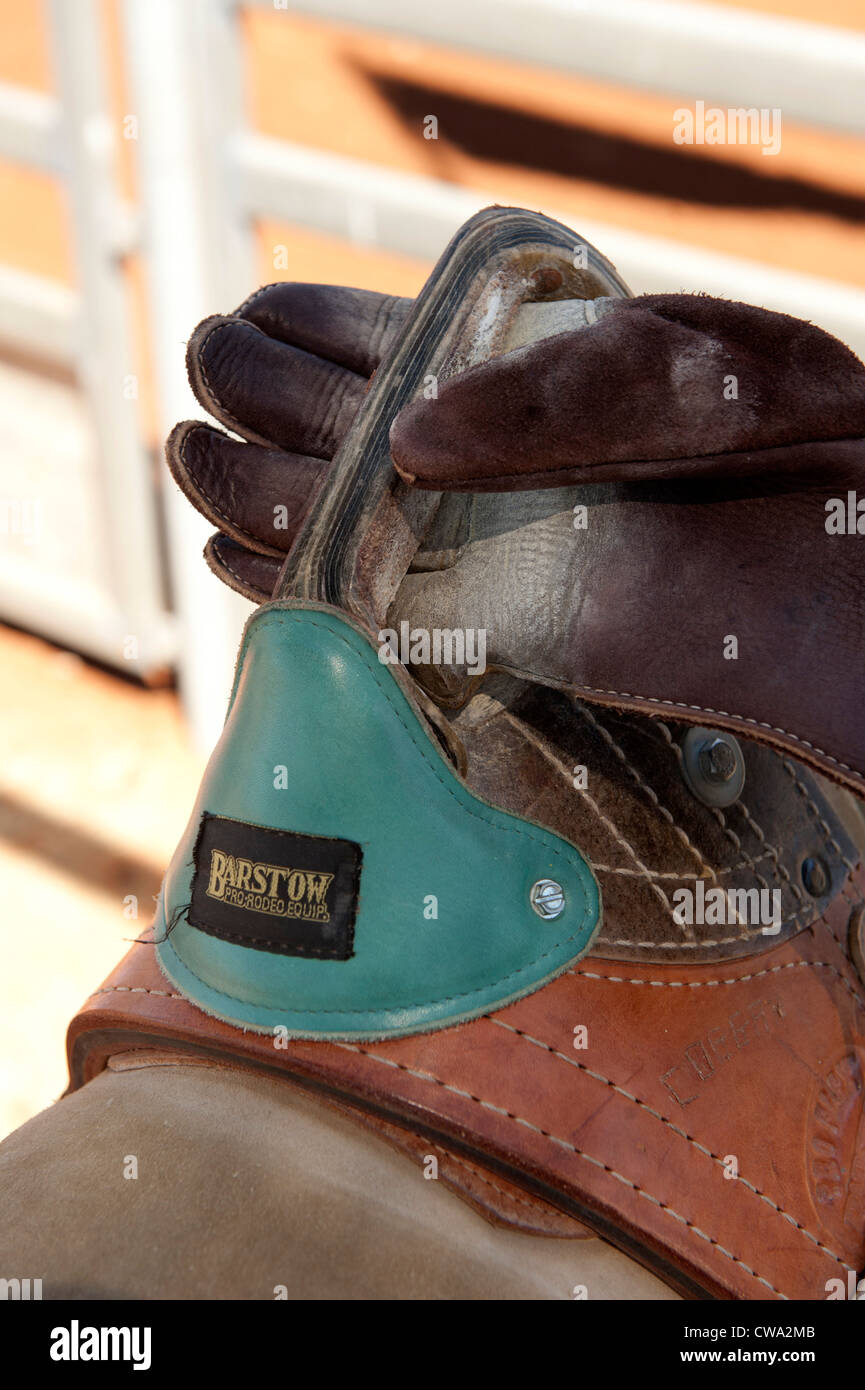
(287, 373)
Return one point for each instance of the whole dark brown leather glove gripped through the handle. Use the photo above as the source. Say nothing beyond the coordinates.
(675, 466)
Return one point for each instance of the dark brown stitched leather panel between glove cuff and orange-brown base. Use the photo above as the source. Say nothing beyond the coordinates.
(642, 829)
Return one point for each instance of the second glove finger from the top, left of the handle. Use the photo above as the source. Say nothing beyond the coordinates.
(269, 391)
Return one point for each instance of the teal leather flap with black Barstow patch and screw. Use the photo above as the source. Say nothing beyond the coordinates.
(414, 896)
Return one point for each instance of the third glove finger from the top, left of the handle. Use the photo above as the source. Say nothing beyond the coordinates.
(254, 494)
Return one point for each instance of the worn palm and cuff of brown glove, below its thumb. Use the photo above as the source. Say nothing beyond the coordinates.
(636, 611)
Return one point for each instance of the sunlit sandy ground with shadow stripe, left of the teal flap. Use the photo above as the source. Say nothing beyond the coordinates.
(97, 783)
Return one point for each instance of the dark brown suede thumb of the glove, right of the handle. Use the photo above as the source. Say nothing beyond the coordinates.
(660, 386)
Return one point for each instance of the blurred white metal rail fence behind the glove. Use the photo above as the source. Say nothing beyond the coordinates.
(207, 179)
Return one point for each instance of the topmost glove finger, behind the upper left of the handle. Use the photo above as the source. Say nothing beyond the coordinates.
(353, 329)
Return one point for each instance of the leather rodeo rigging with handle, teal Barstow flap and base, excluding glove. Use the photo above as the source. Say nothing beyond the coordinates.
(697, 1099)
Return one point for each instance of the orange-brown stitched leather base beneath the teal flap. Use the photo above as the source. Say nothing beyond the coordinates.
(689, 1075)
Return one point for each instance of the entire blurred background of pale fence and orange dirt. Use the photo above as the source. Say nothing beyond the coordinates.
(159, 159)
